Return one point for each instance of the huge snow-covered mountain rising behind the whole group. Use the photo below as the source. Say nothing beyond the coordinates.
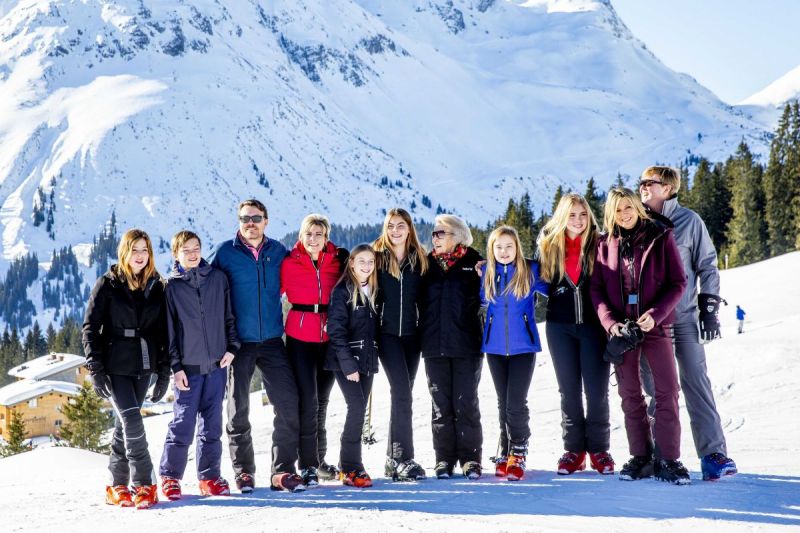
(169, 112)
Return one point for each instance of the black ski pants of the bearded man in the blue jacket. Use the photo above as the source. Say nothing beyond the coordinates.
(272, 360)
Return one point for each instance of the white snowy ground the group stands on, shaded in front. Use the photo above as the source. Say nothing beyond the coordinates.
(758, 397)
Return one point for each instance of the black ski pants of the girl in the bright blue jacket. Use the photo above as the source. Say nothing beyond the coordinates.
(512, 375)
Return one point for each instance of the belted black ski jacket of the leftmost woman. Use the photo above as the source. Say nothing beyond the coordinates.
(119, 340)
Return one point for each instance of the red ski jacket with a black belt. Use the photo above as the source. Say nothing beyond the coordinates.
(307, 285)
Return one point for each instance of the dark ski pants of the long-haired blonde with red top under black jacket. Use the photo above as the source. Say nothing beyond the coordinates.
(577, 354)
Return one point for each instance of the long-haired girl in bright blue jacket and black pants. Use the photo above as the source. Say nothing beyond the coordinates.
(510, 341)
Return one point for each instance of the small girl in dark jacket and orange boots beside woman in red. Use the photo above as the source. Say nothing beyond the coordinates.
(353, 353)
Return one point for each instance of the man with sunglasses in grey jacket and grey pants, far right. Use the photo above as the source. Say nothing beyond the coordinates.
(659, 188)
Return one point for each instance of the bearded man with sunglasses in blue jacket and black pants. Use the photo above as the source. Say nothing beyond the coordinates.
(252, 262)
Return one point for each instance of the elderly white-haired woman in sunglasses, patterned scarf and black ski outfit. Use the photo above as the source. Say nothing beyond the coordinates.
(451, 340)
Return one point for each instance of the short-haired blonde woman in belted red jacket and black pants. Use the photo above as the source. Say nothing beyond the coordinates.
(308, 275)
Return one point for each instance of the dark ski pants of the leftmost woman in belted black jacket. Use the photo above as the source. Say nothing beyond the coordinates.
(130, 459)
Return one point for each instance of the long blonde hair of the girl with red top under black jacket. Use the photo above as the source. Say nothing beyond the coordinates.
(552, 240)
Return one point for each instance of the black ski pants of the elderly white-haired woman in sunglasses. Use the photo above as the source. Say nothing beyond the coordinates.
(456, 416)
